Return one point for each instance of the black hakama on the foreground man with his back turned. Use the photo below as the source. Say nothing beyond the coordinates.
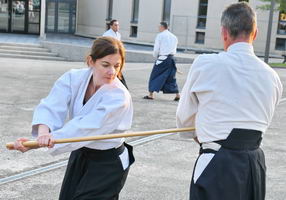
(236, 172)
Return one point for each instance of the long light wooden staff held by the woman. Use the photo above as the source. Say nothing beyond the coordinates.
(34, 144)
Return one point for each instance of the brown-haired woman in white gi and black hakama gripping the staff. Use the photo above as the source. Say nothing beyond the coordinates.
(97, 103)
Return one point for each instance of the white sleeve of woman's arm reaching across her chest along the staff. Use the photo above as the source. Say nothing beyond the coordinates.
(103, 118)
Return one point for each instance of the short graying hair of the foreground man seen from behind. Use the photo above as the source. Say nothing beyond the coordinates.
(239, 19)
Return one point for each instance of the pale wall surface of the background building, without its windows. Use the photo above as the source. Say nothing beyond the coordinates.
(92, 15)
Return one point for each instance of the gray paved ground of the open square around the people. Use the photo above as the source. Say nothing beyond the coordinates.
(163, 167)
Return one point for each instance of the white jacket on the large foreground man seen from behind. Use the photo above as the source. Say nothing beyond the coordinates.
(232, 89)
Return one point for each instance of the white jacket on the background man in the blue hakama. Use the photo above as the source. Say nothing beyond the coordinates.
(165, 44)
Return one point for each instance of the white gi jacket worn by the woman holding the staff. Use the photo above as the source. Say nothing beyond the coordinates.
(109, 110)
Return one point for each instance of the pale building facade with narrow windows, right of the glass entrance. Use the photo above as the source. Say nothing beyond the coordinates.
(196, 23)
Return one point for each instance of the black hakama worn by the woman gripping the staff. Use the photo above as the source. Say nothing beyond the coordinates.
(95, 174)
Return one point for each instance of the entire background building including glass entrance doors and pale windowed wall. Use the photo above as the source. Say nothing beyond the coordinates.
(196, 23)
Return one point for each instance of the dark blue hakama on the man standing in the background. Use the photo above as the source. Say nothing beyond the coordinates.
(163, 77)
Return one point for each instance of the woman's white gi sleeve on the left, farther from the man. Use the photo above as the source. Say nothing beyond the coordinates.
(52, 110)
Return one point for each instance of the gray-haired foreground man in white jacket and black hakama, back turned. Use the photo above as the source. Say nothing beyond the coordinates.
(230, 97)
